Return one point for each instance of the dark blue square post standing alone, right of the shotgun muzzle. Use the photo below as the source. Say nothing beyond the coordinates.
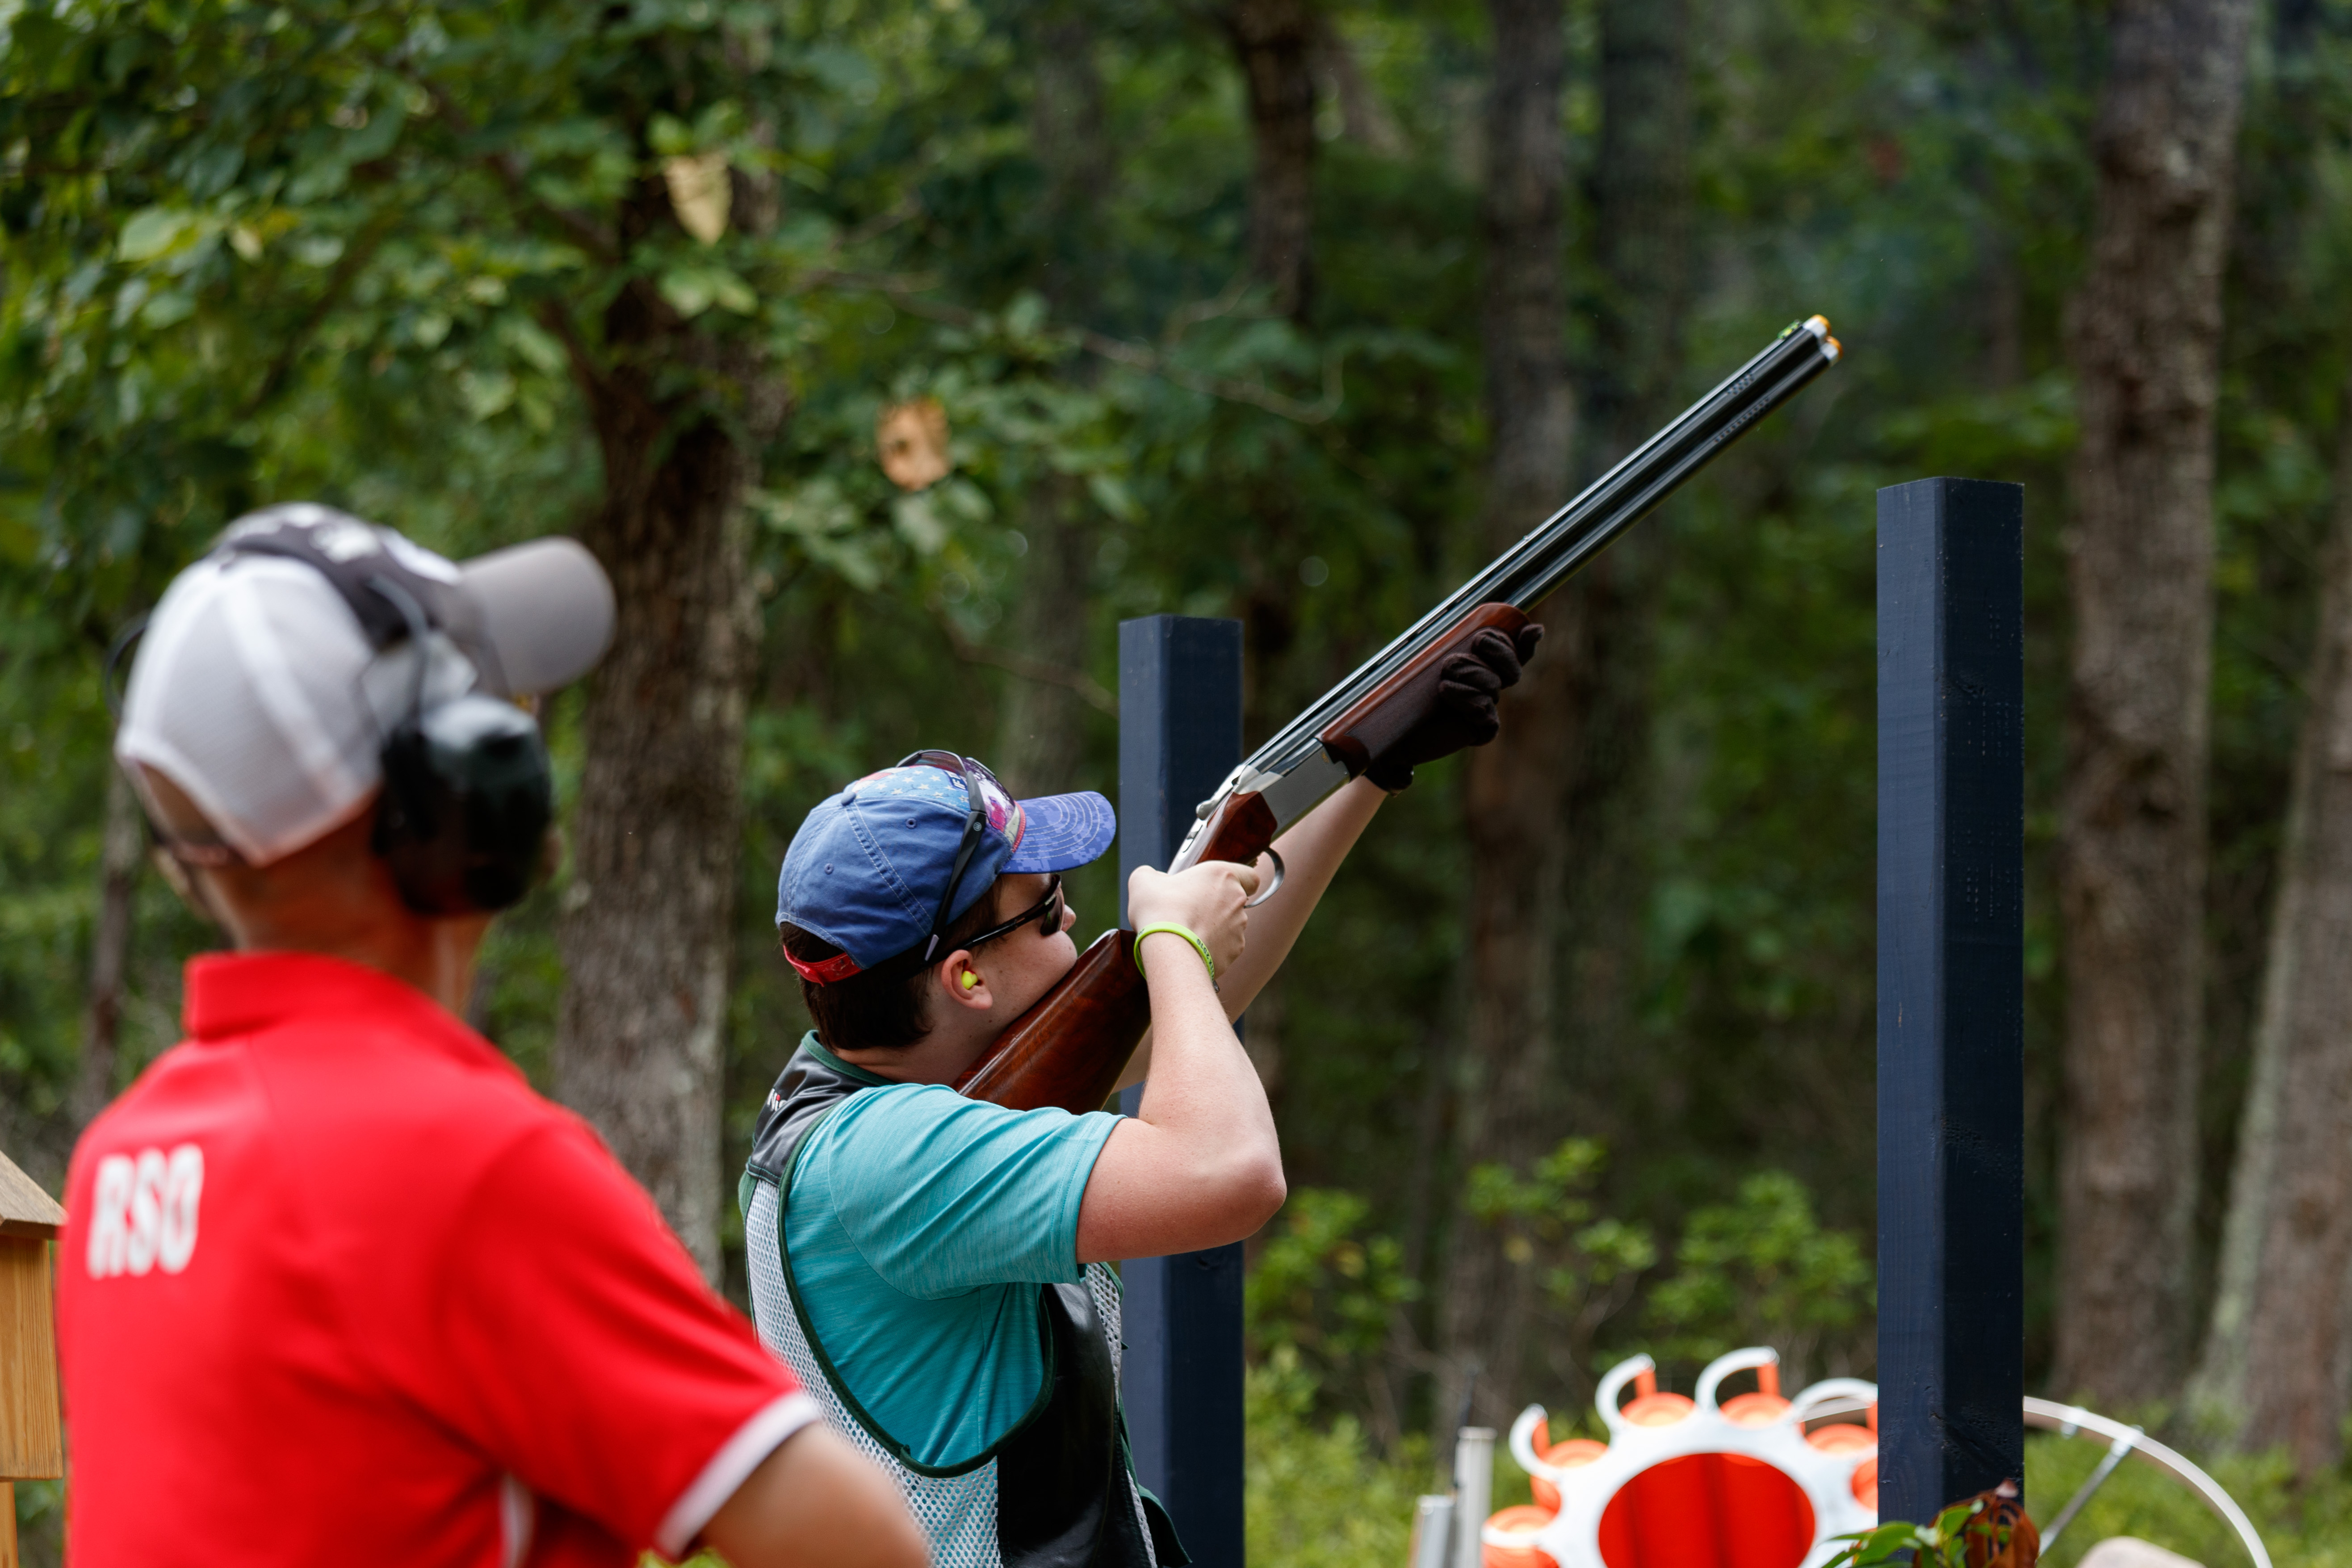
(1951, 993)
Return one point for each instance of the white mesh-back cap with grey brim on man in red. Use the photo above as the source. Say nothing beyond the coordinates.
(258, 692)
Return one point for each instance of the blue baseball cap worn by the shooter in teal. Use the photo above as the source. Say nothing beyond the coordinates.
(869, 866)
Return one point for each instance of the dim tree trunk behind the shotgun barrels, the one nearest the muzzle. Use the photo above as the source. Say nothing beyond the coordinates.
(1641, 203)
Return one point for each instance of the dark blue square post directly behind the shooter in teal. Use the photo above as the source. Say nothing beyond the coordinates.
(1180, 737)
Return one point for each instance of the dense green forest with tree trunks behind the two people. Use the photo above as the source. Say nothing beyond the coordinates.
(1295, 311)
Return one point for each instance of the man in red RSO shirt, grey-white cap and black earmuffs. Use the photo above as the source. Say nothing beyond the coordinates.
(340, 1287)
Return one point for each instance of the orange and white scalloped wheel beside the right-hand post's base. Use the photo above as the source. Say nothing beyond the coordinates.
(1697, 1482)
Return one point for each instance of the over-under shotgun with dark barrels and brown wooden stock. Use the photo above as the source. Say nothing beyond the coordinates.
(1074, 1045)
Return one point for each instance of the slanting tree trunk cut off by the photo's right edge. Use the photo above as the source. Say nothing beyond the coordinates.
(2276, 1355)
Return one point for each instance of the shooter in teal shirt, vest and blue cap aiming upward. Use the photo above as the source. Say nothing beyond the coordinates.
(937, 1266)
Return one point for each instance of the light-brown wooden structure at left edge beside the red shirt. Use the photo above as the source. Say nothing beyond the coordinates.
(32, 1435)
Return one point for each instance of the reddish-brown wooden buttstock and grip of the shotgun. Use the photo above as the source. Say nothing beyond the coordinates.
(1076, 1043)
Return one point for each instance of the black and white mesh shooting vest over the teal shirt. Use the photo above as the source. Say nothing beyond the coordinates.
(1055, 1492)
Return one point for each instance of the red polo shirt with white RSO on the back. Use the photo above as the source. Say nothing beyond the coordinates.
(342, 1289)
